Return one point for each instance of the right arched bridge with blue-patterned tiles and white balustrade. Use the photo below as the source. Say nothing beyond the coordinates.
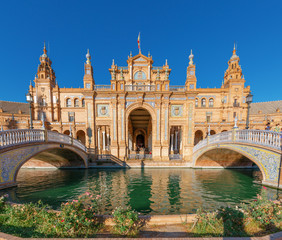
(261, 147)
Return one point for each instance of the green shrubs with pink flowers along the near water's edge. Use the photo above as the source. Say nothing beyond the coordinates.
(79, 218)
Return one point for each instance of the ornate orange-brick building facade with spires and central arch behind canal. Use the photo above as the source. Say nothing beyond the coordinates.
(139, 111)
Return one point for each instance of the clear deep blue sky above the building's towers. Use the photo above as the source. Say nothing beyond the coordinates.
(169, 29)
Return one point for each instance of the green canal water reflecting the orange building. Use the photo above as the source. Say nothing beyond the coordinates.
(149, 191)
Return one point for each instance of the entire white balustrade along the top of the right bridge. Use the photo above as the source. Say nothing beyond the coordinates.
(257, 137)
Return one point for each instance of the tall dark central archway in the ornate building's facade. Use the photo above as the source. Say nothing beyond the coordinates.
(139, 132)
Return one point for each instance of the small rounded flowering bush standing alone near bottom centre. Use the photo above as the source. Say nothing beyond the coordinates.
(126, 221)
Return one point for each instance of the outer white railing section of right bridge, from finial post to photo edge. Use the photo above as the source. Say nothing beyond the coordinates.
(266, 138)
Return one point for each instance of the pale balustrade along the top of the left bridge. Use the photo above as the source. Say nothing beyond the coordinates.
(14, 137)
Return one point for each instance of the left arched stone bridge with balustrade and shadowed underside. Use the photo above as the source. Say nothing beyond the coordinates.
(18, 146)
